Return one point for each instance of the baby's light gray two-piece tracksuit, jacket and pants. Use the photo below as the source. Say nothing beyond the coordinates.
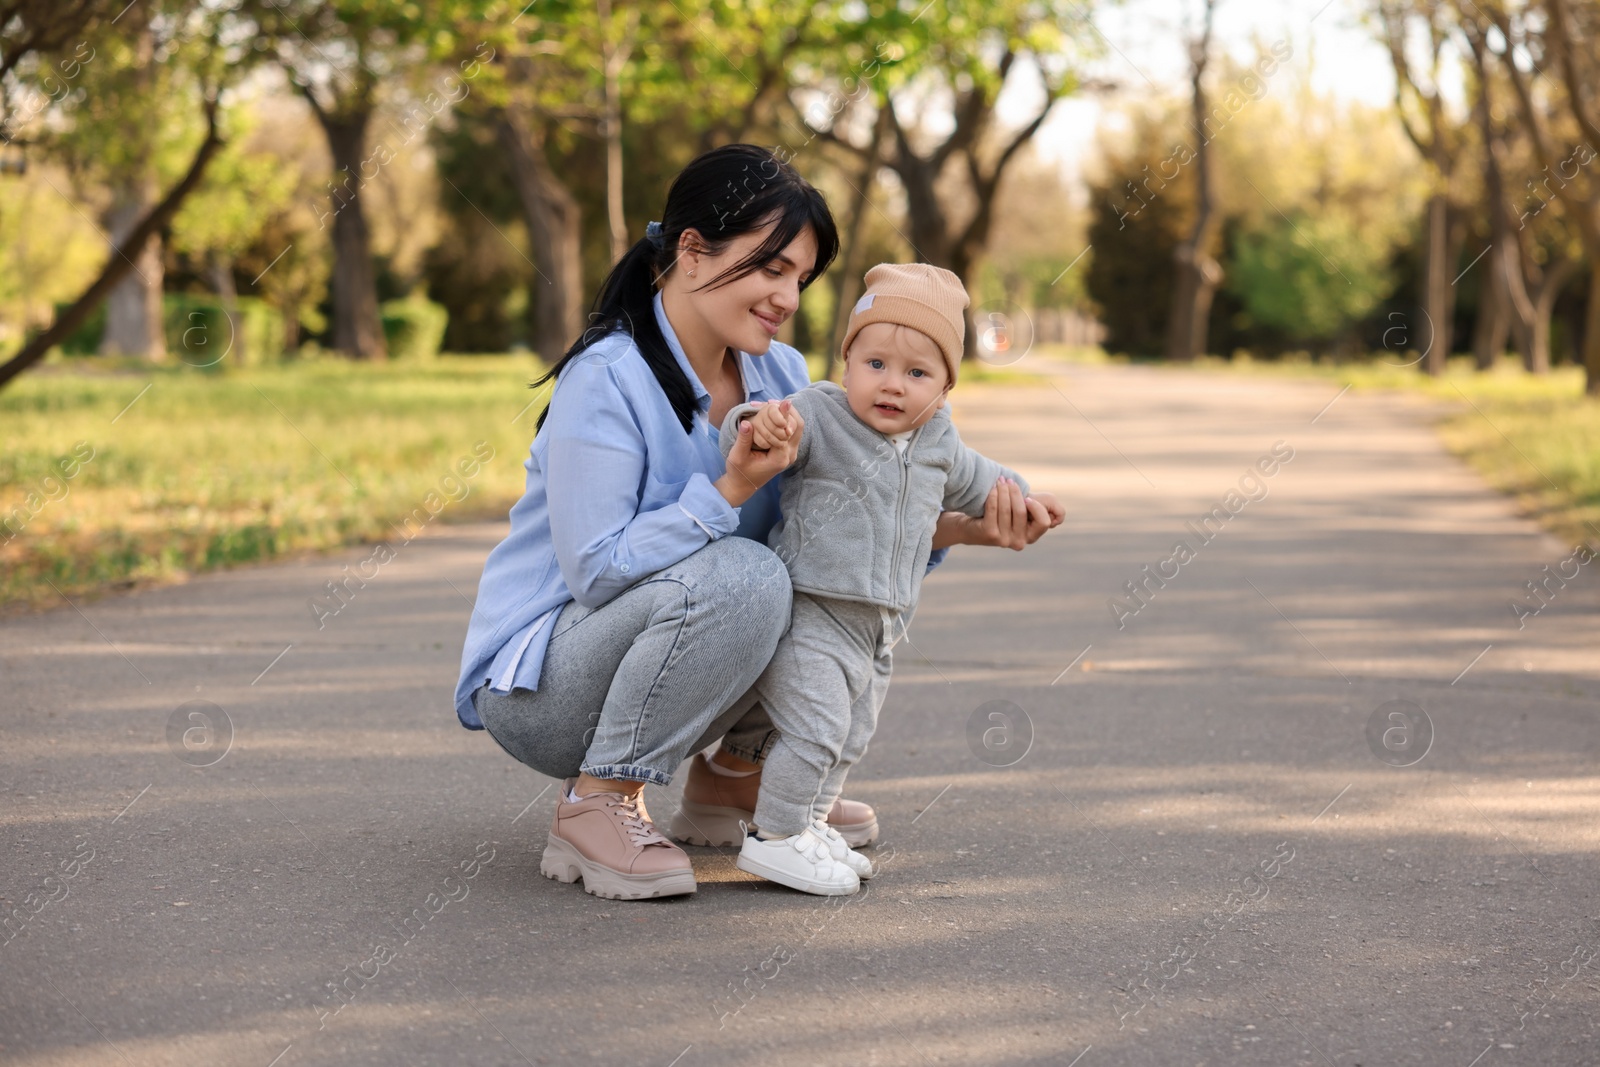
(857, 532)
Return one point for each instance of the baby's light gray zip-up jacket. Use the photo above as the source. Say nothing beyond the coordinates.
(857, 516)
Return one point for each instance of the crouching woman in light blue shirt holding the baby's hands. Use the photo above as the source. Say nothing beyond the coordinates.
(620, 626)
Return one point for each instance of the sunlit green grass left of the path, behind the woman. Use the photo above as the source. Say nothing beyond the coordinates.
(207, 471)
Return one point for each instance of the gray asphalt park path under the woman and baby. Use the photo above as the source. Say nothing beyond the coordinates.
(1318, 796)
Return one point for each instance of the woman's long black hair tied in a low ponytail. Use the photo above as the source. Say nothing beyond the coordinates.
(722, 194)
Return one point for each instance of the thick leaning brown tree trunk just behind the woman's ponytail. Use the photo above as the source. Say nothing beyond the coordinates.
(554, 220)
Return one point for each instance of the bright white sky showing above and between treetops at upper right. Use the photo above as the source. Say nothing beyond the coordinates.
(1145, 54)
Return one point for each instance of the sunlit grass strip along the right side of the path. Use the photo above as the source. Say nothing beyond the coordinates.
(1535, 438)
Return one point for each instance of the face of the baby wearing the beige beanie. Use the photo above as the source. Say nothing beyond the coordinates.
(895, 378)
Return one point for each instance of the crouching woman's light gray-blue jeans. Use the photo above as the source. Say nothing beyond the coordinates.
(631, 689)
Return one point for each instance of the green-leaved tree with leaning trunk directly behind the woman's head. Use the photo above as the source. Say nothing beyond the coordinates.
(551, 62)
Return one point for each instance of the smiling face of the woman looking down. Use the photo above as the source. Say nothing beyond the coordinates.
(748, 313)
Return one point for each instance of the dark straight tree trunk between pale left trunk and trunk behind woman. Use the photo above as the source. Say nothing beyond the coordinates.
(358, 329)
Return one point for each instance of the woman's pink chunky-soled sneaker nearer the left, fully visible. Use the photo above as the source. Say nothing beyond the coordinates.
(610, 842)
